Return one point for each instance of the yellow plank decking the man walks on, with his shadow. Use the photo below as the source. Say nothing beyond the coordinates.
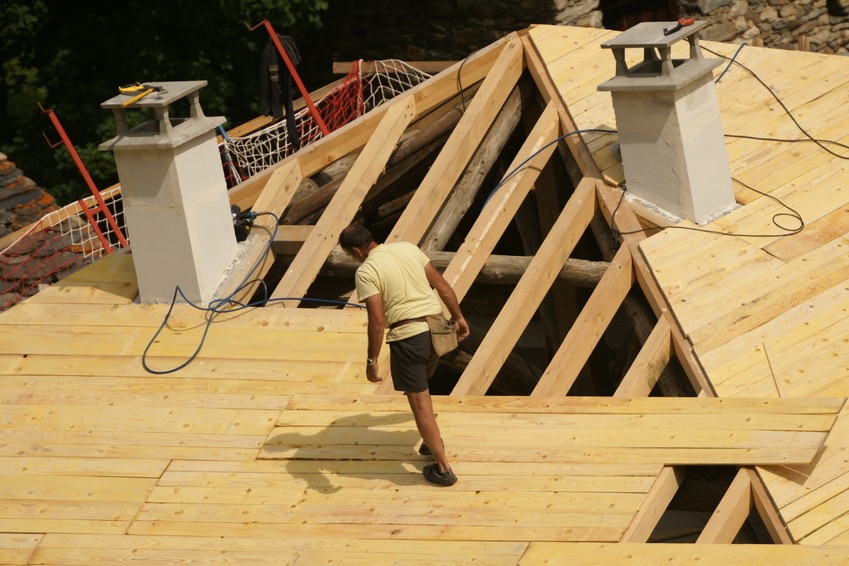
(260, 461)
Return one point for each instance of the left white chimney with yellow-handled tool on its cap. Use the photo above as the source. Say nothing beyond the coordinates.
(174, 194)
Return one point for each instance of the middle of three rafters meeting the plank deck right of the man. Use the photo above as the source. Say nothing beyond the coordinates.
(582, 338)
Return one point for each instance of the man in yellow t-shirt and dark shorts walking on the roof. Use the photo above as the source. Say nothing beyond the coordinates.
(397, 282)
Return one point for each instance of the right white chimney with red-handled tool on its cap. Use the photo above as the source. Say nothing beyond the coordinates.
(670, 131)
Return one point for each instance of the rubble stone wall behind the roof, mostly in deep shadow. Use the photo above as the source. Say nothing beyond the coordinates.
(451, 29)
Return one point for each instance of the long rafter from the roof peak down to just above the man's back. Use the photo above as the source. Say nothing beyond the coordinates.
(461, 145)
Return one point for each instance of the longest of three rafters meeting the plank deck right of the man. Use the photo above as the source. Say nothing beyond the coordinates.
(517, 312)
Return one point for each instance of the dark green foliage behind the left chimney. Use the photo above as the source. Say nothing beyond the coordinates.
(71, 56)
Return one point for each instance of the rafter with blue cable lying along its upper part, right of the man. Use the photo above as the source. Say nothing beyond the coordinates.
(503, 204)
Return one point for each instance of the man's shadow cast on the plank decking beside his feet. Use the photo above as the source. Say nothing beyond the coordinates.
(365, 446)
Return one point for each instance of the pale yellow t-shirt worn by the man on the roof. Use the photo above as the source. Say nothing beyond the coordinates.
(396, 272)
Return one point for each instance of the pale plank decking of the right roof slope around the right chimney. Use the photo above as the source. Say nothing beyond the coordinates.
(765, 311)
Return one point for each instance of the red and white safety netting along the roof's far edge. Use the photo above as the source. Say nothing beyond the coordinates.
(78, 234)
